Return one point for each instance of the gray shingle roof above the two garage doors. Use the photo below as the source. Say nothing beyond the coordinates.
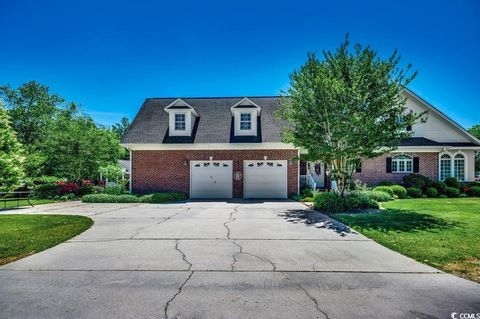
(215, 124)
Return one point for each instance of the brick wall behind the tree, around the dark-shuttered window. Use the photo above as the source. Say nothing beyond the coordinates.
(374, 170)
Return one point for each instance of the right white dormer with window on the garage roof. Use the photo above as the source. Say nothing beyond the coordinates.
(245, 116)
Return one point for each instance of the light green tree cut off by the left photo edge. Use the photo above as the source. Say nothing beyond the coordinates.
(11, 159)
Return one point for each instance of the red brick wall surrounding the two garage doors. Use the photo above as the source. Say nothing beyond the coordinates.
(170, 170)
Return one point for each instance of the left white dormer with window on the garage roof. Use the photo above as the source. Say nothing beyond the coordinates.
(181, 118)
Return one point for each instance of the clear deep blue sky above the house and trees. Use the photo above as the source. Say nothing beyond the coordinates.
(110, 55)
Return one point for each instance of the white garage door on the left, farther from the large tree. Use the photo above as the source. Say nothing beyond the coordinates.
(211, 179)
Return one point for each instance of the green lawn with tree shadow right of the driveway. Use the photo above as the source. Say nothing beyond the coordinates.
(443, 233)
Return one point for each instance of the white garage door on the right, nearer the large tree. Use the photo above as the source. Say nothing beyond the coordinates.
(265, 179)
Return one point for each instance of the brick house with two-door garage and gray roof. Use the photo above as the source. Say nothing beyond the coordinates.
(232, 147)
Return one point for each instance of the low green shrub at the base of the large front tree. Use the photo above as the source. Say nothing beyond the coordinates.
(331, 203)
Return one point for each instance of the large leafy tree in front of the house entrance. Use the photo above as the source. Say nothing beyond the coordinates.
(346, 107)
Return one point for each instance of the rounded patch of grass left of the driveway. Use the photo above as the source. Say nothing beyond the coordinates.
(23, 235)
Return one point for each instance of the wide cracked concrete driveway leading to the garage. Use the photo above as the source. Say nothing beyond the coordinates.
(223, 260)
